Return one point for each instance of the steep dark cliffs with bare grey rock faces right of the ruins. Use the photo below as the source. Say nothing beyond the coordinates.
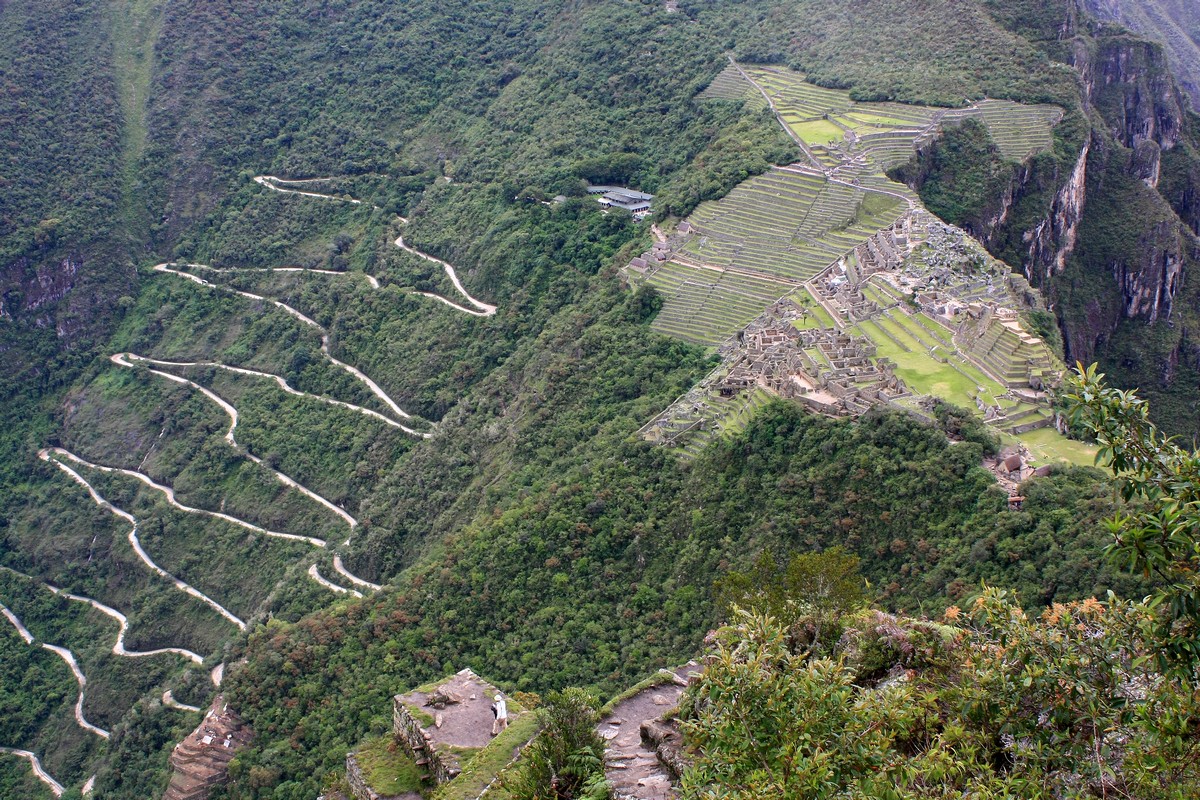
(1107, 225)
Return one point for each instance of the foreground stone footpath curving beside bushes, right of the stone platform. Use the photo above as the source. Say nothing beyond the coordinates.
(633, 769)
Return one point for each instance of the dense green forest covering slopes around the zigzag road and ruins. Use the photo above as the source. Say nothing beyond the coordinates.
(533, 538)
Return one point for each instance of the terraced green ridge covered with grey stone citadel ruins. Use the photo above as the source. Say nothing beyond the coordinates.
(851, 250)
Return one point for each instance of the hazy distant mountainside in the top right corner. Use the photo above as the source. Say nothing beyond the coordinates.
(1175, 23)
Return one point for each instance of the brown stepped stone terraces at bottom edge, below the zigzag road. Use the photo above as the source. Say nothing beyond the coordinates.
(201, 761)
